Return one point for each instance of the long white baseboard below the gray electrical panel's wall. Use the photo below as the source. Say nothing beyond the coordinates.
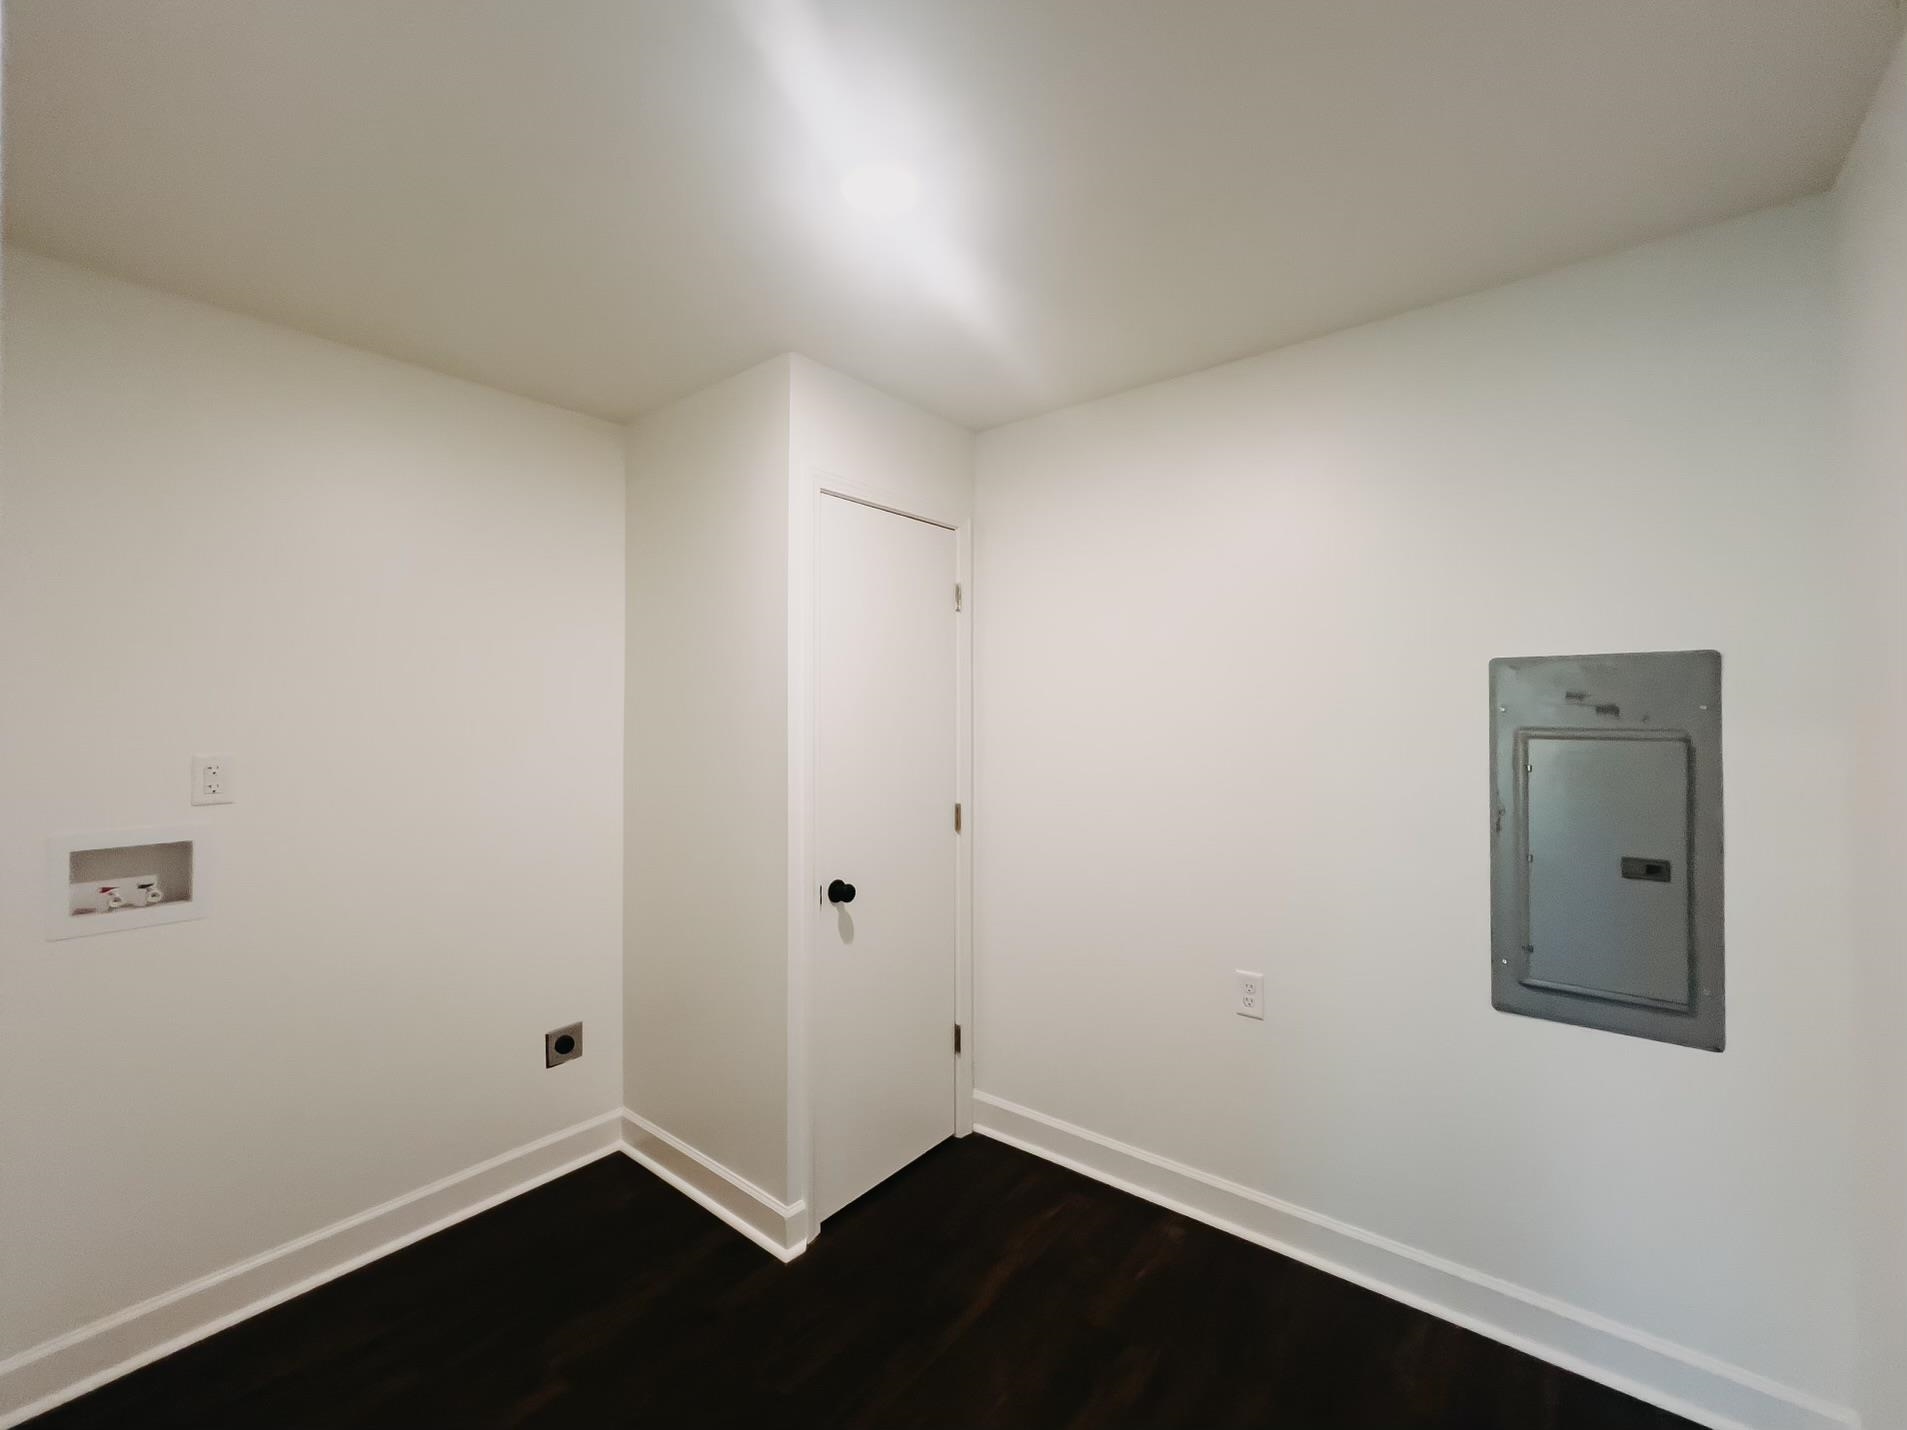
(1635, 1362)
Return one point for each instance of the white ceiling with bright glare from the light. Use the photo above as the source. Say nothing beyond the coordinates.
(609, 203)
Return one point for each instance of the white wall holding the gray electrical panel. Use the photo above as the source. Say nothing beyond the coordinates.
(1231, 714)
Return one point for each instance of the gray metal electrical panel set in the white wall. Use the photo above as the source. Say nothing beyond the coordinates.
(1607, 848)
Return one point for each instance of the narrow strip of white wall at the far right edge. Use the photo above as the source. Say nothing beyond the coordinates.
(1872, 209)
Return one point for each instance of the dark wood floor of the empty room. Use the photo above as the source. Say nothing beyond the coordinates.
(981, 1288)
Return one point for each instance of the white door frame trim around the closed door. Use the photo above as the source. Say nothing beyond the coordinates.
(811, 487)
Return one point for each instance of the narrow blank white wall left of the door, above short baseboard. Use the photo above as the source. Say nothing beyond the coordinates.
(707, 962)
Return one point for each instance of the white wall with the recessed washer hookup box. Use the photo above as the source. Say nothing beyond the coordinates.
(396, 600)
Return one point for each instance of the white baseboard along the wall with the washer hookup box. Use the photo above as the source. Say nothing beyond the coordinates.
(77, 1362)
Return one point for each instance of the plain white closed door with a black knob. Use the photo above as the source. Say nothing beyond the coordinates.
(882, 1029)
